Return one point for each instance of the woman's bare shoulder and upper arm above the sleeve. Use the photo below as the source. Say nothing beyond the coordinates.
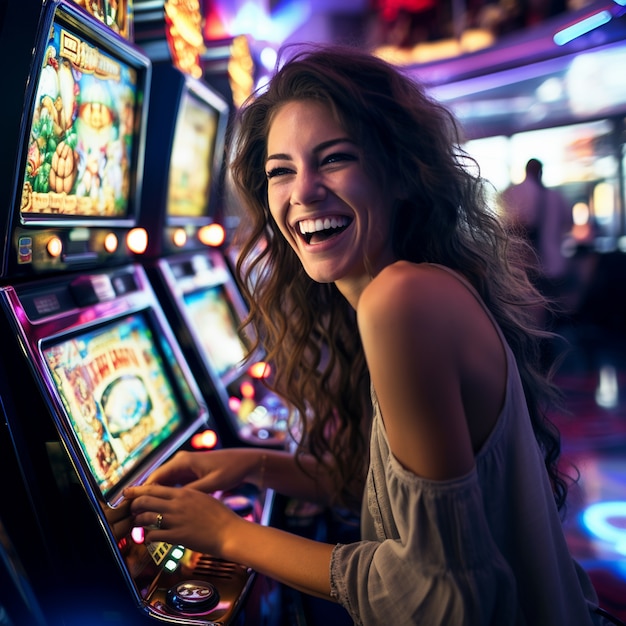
(414, 351)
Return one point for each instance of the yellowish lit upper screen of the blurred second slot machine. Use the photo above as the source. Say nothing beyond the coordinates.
(192, 158)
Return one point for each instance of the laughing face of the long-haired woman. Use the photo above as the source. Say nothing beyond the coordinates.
(333, 214)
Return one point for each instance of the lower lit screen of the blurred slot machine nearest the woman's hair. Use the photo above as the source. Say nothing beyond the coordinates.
(215, 323)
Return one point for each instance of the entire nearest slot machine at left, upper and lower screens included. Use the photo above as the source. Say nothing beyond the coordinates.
(95, 390)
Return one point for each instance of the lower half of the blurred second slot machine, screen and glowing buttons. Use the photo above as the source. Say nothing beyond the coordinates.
(206, 307)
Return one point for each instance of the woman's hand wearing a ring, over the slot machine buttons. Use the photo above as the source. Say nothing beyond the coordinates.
(180, 515)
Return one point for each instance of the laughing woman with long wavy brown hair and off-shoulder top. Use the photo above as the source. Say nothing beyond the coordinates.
(390, 301)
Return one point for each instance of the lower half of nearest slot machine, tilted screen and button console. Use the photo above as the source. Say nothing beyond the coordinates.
(109, 398)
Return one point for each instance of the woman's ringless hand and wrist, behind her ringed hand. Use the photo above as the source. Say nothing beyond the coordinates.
(209, 471)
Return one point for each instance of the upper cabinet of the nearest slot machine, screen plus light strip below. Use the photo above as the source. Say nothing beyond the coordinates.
(73, 141)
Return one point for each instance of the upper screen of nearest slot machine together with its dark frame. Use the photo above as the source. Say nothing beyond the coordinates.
(82, 150)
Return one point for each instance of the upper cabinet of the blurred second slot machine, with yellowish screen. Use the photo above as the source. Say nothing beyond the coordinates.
(186, 129)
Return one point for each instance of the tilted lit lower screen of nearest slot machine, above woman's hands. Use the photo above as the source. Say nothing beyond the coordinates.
(120, 402)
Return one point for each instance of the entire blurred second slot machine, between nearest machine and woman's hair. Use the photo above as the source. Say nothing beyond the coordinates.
(193, 277)
